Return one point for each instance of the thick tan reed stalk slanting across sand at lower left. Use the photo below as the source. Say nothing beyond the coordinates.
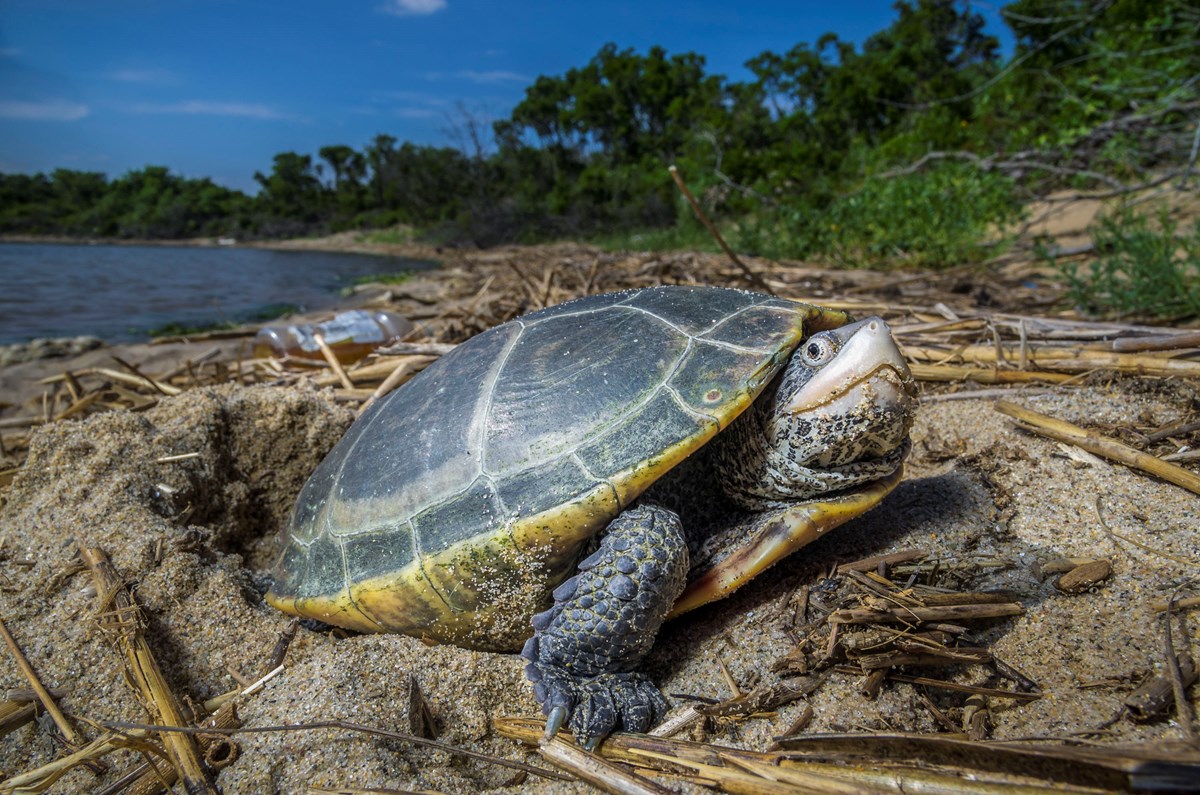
(122, 613)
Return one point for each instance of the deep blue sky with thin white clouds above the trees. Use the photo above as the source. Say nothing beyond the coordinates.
(217, 88)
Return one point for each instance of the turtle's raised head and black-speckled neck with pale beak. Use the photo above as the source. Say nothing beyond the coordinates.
(836, 420)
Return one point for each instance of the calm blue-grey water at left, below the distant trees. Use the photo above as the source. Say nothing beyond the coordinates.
(121, 294)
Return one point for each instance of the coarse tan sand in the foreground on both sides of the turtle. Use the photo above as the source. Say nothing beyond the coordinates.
(196, 539)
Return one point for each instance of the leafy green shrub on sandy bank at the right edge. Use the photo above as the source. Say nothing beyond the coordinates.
(1139, 271)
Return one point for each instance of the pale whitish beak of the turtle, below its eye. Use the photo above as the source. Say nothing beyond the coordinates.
(868, 366)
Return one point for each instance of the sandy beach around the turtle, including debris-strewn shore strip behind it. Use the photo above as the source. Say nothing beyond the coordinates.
(187, 498)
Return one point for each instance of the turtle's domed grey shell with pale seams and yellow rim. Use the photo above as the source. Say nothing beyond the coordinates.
(454, 507)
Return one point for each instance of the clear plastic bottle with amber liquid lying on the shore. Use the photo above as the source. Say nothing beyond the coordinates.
(350, 336)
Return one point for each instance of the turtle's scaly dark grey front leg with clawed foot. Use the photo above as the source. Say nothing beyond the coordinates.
(586, 649)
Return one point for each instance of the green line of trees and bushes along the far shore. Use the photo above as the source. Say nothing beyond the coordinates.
(919, 141)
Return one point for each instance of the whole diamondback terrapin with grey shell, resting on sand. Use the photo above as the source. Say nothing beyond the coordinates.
(679, 440)
